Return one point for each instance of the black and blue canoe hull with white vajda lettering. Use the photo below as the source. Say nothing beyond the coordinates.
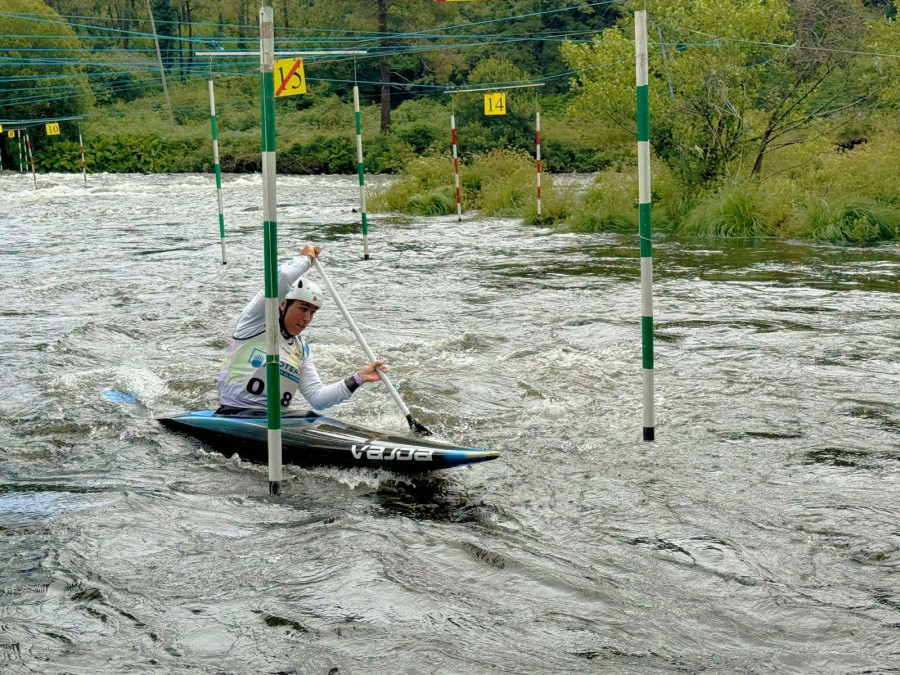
(313, 440)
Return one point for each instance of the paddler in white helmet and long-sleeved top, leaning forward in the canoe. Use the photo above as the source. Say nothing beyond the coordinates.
(242, 380)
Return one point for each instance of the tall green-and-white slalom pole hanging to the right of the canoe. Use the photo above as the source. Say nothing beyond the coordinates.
(643, 125)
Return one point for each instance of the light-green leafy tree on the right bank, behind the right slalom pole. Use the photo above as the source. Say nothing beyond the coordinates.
(737, 80)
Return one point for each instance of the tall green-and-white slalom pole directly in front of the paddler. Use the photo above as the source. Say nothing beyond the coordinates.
(270, 243)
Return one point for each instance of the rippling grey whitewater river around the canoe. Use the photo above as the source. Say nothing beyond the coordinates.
(760, 533)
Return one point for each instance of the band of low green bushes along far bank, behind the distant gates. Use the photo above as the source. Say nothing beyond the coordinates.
(315, 135)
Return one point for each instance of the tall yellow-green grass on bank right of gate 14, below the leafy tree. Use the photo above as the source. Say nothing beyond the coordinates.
(814, 191)
